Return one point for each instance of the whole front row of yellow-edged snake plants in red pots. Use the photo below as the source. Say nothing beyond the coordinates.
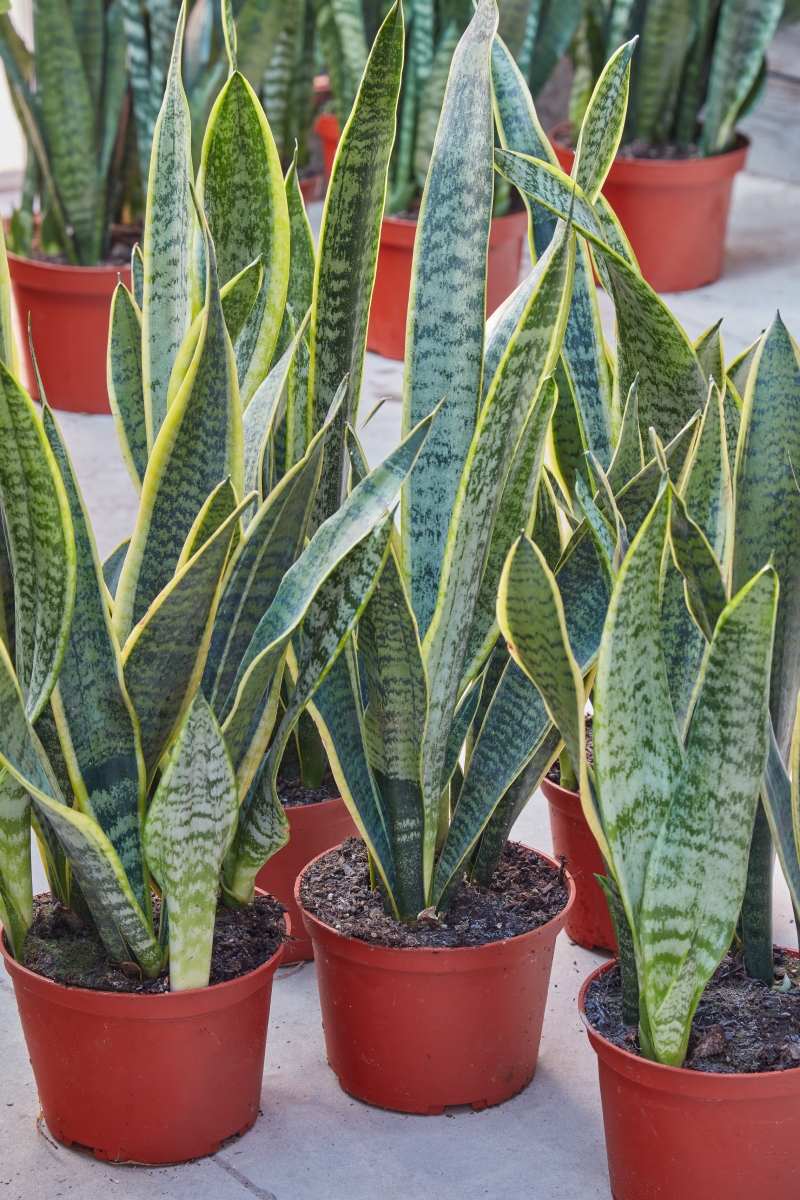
(152, 703)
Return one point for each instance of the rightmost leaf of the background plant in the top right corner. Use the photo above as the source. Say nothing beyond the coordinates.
(745, 31)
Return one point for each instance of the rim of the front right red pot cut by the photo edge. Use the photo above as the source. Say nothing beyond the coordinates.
(681, 1081)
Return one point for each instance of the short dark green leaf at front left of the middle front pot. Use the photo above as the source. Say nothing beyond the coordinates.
(394, 724)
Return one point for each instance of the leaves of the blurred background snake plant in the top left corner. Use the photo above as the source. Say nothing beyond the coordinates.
(70, 95)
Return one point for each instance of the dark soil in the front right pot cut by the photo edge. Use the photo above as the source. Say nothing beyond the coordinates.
(741, 1027)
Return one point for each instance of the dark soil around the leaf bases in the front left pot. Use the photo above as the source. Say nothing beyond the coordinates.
(67, 950)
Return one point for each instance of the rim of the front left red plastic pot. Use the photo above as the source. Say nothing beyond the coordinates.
(164, 1006)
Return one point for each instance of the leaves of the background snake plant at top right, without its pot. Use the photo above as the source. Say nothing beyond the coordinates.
(693, 58)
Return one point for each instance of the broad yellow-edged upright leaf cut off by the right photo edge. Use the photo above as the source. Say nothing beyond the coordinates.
(768, 506)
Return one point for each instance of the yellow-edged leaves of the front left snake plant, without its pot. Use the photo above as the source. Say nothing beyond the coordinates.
(139, 697)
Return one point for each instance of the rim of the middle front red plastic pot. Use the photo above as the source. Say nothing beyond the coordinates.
(426, 957)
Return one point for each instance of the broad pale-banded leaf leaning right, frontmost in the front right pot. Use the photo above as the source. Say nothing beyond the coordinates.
(691, 899)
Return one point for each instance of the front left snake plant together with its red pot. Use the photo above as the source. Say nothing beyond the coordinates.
(141, 694)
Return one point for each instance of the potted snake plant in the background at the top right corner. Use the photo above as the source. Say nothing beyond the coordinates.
(672, 182)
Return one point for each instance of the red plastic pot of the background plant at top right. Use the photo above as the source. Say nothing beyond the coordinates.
(675, 213)
